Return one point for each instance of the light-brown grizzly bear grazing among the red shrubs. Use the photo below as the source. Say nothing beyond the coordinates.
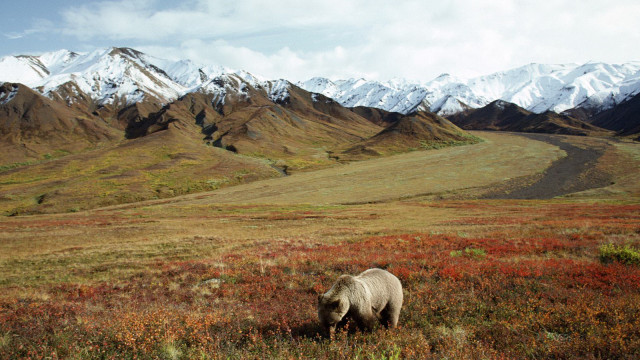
(371, 297)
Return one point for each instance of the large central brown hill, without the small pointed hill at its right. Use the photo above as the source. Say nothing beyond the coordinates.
(299, 128)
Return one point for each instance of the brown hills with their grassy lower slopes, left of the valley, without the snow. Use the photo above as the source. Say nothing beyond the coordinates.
(152, 151)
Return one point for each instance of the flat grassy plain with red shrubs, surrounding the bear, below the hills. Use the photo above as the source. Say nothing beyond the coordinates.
(204, 277)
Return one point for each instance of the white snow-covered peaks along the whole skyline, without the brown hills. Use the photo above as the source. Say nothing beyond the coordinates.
(128, 76)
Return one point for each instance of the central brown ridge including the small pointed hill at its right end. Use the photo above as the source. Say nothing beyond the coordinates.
(296, 128)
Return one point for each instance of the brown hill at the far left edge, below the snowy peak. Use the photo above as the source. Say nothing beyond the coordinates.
(32, 126)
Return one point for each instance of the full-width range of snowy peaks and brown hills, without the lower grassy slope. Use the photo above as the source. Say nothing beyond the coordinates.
(69, 101)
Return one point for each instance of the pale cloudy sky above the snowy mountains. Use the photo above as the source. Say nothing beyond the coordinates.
(300, 39)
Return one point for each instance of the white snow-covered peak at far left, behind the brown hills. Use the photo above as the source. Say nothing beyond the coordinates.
(105, 75)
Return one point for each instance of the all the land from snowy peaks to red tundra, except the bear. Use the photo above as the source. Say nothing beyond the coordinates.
(162, 209)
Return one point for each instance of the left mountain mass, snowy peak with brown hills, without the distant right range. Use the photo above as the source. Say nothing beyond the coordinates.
(66, 102)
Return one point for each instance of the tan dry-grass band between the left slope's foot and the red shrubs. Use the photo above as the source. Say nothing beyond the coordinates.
(113, 244)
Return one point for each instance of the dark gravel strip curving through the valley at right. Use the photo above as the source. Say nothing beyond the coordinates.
(573, 173)
